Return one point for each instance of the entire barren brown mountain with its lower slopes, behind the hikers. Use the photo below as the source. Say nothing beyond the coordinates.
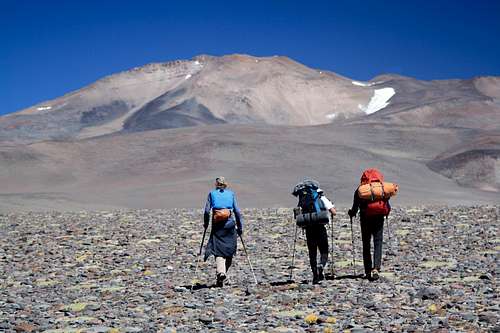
(157, 135)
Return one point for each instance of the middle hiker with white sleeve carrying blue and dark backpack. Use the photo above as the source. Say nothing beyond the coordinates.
(312, 215)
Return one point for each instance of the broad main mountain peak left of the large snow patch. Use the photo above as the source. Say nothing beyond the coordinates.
(233, 89)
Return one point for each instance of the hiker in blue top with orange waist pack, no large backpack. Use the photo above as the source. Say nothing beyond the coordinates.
(226, 216)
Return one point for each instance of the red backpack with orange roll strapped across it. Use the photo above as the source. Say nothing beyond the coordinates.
(373, 189)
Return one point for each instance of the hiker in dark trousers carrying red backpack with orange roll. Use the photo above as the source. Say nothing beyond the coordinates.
(372, 199)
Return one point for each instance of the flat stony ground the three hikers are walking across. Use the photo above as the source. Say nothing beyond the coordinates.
(131, 271)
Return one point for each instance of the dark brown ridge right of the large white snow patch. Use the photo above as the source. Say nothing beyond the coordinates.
(446, 103)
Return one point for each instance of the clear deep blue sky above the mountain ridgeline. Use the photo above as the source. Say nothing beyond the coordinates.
(49, 47)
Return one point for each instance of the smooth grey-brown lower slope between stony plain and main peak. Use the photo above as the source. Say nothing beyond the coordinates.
(176, 167)
